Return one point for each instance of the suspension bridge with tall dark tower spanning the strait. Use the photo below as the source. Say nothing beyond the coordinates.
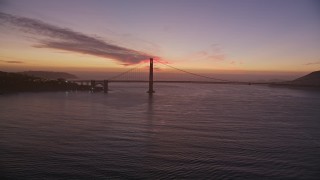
(144, 74)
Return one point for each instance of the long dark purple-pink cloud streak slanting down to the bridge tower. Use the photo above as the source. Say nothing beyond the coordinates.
(66, 39)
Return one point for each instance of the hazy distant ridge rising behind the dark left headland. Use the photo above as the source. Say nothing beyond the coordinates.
(50, 74)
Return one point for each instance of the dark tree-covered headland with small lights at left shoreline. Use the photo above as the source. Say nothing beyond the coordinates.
(18, 82)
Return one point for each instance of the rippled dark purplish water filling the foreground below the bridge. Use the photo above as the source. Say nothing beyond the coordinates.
(184, 131)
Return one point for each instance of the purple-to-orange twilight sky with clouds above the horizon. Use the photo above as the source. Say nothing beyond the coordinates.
(207, 35)
